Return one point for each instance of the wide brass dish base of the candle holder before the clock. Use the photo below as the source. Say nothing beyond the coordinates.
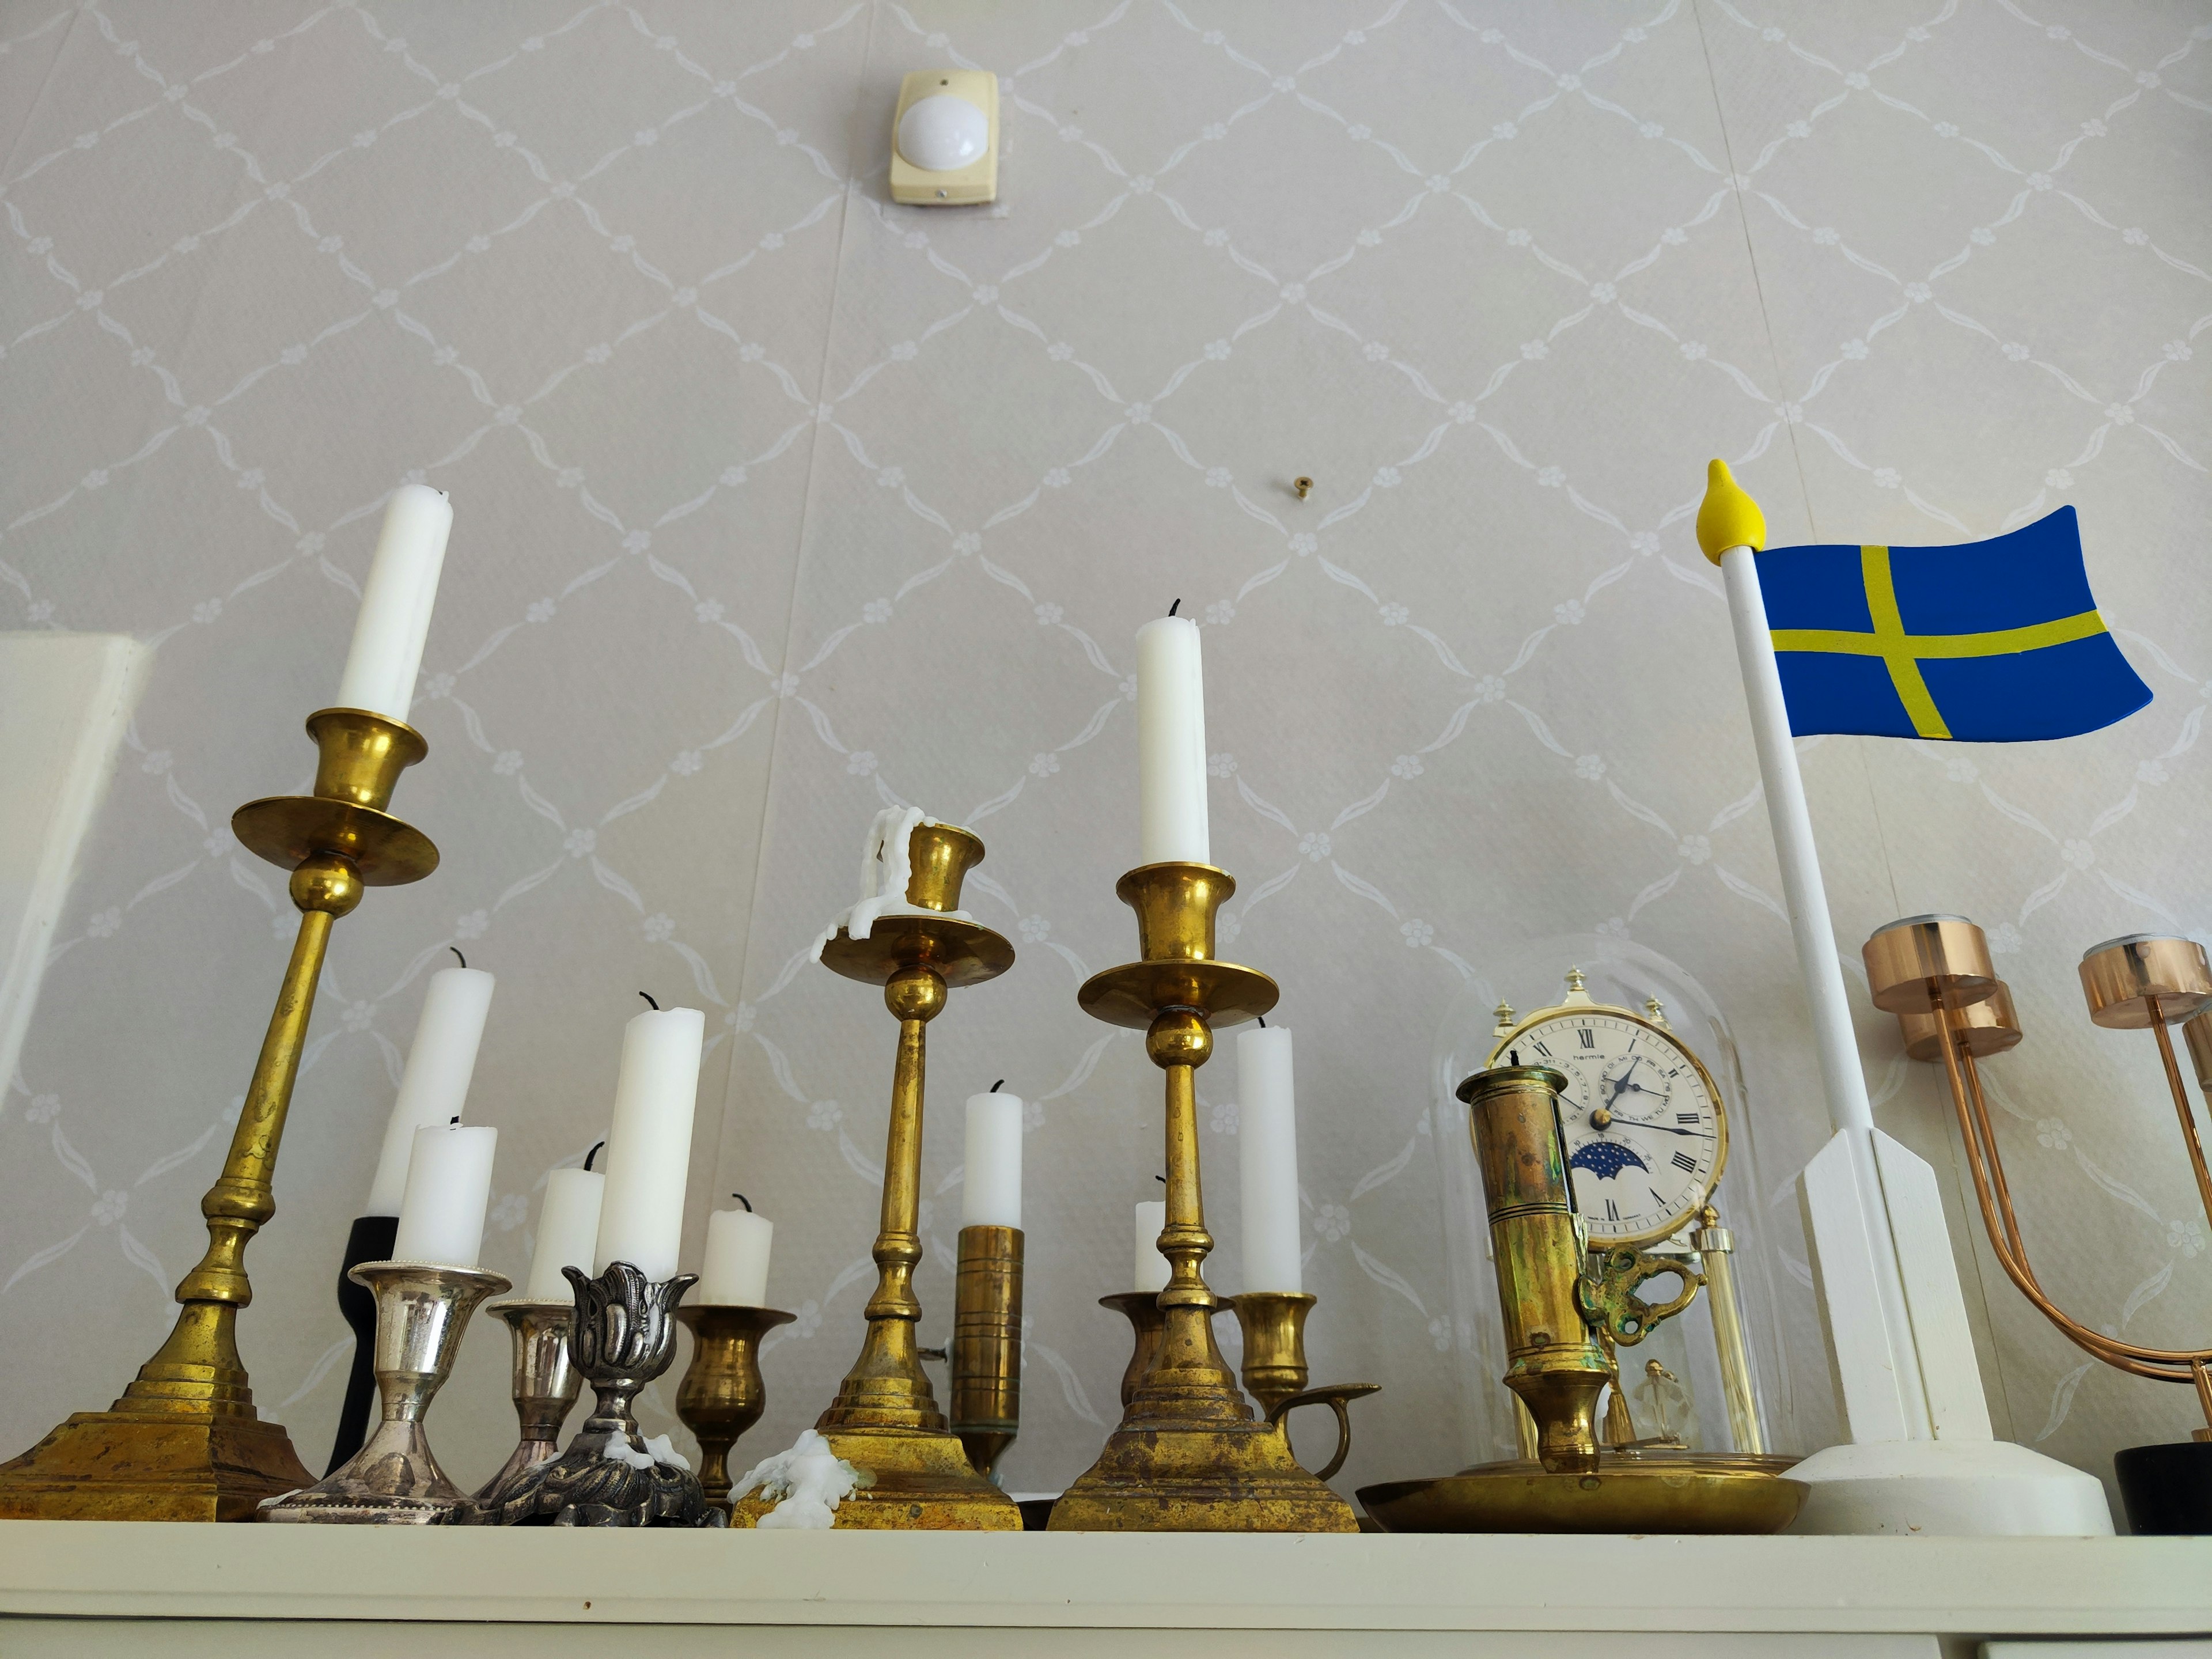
(1642, 1492)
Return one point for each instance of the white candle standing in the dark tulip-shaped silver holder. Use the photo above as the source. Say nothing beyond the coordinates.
(649, 1147)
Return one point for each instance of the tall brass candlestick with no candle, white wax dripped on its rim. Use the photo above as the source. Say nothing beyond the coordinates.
(886, 1417)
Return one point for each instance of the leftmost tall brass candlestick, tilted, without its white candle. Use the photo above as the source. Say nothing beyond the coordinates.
(185, 1441)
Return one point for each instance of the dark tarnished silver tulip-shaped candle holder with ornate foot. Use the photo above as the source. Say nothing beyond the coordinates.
(623, 1337)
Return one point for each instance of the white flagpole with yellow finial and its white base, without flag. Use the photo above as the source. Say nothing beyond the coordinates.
(1921, 1454)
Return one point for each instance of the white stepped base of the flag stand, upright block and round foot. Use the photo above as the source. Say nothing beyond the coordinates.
(1923, 1459)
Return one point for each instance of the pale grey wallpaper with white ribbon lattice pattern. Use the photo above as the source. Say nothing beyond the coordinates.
(778, 503)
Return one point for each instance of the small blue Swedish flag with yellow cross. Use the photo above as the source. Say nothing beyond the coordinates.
(1987, 643)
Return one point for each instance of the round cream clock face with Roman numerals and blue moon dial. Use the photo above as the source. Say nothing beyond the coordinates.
(1645, 1131)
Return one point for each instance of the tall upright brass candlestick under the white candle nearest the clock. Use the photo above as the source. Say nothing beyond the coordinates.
(1189, 1454)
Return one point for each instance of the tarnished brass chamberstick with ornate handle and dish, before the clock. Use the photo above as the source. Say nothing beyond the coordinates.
(1563, 1308)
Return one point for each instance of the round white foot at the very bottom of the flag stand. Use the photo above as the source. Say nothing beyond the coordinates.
(1950, 1488)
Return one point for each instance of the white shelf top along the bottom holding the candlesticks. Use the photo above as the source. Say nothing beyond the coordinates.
(63, 1583)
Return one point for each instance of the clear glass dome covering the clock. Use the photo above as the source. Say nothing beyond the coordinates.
(1673, 1381)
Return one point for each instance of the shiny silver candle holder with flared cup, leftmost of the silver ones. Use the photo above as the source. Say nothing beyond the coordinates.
(395, 1479)
